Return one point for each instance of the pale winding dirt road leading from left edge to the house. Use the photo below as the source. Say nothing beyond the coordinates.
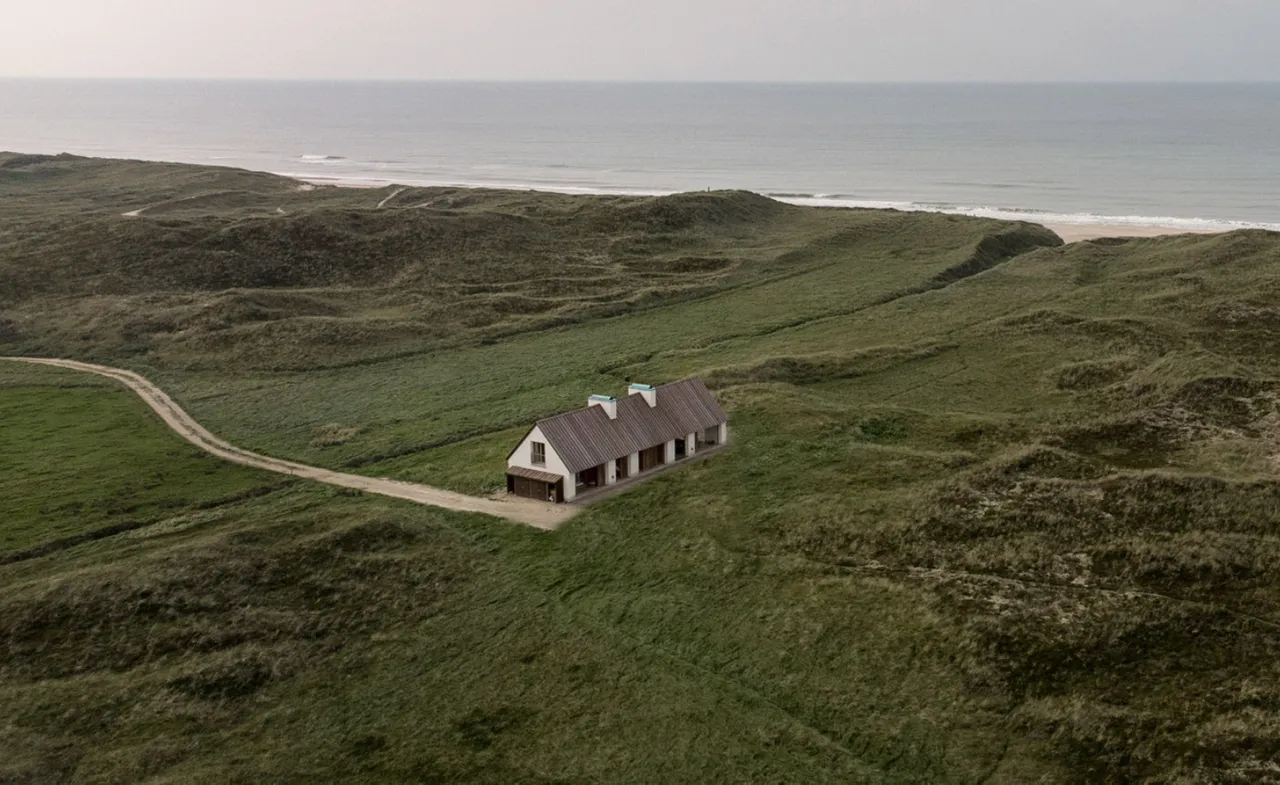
(523, 512)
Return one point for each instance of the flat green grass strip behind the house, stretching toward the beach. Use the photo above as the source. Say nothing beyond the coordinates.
(447, 395)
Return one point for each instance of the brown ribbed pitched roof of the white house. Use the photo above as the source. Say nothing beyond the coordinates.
(588, 437)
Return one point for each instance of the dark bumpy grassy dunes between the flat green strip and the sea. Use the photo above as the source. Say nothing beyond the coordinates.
(332, 281)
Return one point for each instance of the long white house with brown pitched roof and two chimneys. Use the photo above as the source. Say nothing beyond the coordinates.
(614, 440)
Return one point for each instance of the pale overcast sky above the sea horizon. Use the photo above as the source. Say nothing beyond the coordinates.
(712, 40)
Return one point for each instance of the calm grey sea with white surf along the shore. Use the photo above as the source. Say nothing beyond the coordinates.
(1191, 157)
